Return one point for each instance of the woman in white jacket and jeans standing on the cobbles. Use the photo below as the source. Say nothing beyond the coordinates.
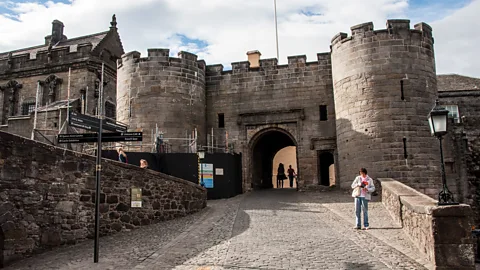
(362, 192)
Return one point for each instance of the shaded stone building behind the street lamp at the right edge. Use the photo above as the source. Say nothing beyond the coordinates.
(460, 95)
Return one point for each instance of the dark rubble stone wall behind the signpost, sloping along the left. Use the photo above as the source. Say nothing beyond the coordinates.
(47, 196)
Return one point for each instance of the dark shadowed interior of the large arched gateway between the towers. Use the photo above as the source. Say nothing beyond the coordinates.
(264, 148)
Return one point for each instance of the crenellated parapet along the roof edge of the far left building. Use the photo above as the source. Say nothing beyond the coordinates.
(40, 58)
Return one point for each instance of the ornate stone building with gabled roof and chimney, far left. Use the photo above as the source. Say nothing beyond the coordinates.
(46, 68)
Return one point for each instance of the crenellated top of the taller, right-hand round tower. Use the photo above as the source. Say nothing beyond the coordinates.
(395, 29)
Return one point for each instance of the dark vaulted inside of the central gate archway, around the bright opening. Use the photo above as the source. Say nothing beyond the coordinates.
(263, 146)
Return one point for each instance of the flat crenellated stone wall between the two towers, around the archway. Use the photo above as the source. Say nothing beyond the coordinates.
(278, 96)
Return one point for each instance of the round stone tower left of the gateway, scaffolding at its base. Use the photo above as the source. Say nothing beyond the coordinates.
(164, 92)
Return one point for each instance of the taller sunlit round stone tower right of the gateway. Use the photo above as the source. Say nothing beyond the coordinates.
(384, 87)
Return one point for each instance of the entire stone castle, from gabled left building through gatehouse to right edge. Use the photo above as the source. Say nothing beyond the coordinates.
(363, 104)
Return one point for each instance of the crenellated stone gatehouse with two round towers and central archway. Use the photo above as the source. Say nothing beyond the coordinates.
(363, 104)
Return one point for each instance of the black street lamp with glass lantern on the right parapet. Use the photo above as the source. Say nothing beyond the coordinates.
(437, 119)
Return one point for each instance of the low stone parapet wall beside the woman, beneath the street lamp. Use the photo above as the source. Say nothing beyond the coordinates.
(442, 233)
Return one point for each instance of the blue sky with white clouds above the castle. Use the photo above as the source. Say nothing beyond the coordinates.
(222, 31)
